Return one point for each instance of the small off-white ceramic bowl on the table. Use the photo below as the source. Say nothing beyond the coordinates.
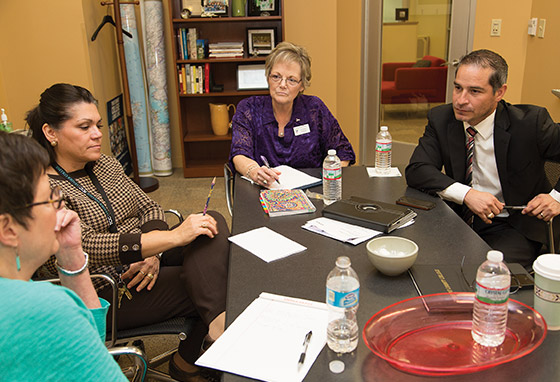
(392, 255)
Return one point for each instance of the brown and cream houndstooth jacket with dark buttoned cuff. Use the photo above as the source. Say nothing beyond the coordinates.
(135, 214)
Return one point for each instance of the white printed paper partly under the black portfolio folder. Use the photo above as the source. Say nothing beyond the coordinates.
(345, 232)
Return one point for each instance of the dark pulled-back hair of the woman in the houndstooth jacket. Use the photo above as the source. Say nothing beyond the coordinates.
(53, 109)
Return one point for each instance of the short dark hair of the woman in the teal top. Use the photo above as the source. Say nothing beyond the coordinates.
(23, 162)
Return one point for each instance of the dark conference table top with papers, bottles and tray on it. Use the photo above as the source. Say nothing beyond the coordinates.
(442, 238)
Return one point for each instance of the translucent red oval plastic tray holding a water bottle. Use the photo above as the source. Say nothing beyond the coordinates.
(431, 335)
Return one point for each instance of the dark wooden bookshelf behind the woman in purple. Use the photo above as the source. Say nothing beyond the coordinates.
(204, 153)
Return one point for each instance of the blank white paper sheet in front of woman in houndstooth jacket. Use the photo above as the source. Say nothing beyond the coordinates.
(267, 244)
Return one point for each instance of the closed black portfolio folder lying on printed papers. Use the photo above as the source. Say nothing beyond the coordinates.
(380, 216)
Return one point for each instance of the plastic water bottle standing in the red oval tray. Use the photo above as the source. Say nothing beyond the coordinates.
(491, 302)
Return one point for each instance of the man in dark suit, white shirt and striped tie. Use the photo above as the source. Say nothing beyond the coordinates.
(511, 144)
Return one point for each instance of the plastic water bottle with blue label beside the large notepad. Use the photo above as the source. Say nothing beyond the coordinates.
(343, 292)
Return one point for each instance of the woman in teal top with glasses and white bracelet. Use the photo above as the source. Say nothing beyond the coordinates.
(47, 332)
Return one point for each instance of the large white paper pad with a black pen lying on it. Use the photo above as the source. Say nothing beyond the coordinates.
(266, 340)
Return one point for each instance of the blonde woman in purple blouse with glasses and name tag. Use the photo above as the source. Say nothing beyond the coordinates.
(286, 127)
